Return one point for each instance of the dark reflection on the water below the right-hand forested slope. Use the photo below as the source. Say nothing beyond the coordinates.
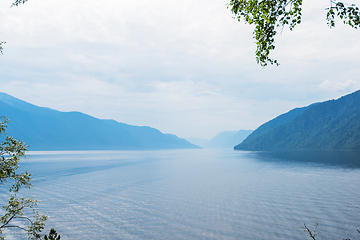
(345, 159)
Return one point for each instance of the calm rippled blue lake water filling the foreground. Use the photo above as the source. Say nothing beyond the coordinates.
(197, 194)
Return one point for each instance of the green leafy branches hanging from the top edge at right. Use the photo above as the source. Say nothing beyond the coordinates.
(268, 15)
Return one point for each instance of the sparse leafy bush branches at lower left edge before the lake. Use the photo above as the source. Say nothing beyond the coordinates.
(11, 151)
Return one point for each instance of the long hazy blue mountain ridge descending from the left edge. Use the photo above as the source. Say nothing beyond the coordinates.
(47, 129)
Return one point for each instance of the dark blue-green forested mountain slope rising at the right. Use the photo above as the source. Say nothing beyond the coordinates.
(330, 125)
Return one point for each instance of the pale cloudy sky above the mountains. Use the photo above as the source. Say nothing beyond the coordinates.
(184, 67)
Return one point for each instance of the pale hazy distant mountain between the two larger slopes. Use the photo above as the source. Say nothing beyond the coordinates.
(227, 139)
